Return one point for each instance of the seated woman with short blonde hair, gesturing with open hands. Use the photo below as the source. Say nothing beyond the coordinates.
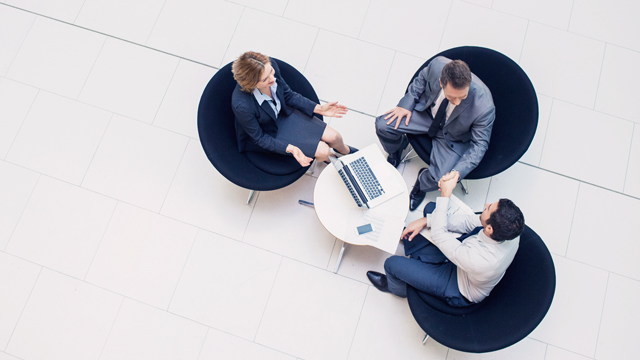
(271, 117)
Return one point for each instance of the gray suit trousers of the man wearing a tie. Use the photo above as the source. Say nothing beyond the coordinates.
(442, 159)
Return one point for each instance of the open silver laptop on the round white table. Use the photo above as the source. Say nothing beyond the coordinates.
(368, 177)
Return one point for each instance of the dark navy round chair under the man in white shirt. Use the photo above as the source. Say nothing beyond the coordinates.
(512, 311)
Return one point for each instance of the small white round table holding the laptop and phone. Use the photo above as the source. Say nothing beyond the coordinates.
(333, 204)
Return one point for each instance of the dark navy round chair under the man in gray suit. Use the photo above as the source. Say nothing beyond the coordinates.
(516, 109)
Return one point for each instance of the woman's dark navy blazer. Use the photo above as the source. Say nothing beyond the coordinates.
(255, 125)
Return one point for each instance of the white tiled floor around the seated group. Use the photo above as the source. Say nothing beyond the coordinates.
(119, 240)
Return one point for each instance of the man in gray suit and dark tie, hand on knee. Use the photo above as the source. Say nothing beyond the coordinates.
(451, 106)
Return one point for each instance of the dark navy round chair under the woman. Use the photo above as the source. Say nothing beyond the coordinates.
(259, 171)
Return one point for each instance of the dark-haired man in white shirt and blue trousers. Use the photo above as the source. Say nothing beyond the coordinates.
(461, 272)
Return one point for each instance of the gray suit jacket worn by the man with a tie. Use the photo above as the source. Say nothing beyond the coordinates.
(468, 129)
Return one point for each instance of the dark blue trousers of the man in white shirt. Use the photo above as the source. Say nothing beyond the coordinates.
(428, 270)
